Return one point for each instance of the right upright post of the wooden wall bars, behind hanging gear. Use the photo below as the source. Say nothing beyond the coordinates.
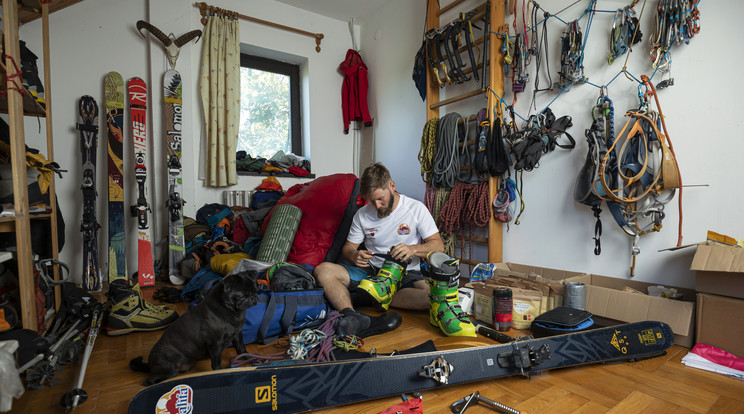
(496, 70)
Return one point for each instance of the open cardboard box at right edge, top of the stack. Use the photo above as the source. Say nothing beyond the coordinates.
(719, 270)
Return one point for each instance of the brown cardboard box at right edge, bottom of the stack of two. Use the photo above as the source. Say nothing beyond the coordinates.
(720, 323)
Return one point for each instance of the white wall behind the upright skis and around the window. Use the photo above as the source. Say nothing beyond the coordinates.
(92, 38)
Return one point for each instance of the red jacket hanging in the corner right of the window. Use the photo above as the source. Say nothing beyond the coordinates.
(354, 90)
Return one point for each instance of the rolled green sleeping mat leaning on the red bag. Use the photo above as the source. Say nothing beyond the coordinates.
(280, 234)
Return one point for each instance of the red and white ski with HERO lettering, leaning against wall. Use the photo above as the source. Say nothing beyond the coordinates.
(137, 89)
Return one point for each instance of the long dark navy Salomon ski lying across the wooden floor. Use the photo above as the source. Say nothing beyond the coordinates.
(302, 387)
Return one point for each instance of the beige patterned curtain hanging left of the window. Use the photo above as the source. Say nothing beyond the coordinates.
(219, 84)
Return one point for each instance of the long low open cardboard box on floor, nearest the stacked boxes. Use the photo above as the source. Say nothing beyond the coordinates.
(605, 297)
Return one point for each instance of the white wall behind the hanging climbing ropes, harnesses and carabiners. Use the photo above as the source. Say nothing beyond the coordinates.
(701, 113)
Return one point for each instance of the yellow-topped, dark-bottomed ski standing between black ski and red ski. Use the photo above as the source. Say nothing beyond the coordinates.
(114, 93)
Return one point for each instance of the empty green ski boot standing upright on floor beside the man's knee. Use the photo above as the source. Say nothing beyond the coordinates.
(444, 310)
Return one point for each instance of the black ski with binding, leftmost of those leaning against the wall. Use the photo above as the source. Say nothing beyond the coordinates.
(88, 127)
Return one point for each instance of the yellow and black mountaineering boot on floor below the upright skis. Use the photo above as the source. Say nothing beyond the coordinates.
(131, 313)
